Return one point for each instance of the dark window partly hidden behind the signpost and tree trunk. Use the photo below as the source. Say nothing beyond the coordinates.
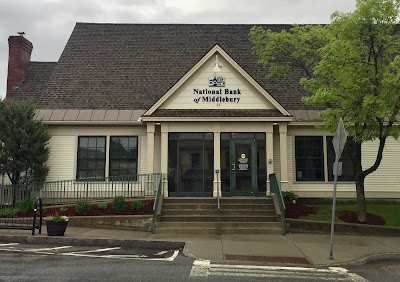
(347, 165)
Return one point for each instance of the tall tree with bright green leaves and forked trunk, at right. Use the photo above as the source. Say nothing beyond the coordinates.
(351, 69)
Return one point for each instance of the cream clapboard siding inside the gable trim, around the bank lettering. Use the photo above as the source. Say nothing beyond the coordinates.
(184, 97)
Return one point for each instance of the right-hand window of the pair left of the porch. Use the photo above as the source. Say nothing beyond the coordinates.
(123, 155)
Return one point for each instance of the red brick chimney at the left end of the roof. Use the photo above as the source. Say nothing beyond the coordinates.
(19, 57)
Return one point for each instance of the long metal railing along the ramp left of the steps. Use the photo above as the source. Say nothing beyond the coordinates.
(71, 191)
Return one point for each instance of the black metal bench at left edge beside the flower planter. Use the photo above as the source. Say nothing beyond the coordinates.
(12, 218)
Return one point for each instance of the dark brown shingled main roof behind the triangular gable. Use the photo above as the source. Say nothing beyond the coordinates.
(130, 66)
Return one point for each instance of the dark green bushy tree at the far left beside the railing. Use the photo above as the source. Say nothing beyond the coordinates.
(23, 143)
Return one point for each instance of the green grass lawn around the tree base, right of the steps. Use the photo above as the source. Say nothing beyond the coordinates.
(390, 212)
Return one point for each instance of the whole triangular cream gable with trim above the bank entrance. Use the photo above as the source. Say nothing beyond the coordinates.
(237, 90)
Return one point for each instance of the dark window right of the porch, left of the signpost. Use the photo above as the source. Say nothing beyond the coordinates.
(309, 155)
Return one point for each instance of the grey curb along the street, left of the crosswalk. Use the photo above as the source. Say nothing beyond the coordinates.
(140, 244)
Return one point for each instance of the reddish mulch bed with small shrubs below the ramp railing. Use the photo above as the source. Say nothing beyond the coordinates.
(147, 209)
